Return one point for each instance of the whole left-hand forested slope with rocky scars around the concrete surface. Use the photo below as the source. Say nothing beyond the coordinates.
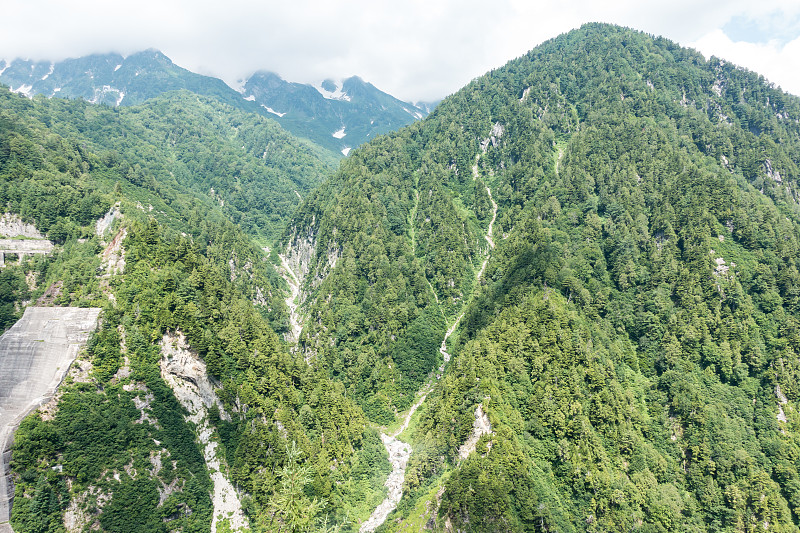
(182, 287)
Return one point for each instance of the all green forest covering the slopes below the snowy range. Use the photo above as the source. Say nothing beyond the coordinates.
(605, 232)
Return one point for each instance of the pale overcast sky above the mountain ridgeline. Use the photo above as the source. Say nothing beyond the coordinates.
(415, 49)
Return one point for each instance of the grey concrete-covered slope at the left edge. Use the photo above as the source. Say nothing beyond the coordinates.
(35, 355)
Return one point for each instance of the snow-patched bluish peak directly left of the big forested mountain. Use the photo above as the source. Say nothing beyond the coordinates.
(339, 116)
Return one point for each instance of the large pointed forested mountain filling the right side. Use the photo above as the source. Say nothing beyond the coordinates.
(634, 336)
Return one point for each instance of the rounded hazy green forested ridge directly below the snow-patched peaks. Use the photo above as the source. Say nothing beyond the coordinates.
(181, 148)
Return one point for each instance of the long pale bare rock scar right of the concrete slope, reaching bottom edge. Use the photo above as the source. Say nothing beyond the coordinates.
(186, 374)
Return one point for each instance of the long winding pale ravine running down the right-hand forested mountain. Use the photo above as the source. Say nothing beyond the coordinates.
(399, 451)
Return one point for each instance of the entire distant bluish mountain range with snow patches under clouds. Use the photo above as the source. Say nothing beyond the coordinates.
(335, 117)
